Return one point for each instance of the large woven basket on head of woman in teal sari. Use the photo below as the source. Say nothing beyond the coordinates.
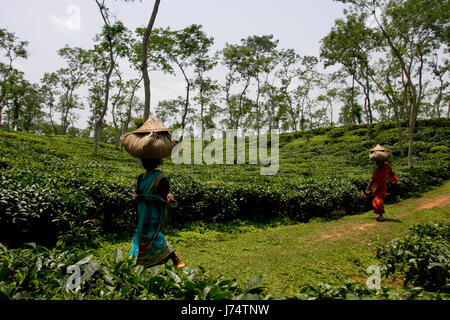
(151, 141)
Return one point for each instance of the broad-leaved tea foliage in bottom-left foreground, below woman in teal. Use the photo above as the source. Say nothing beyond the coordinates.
(41, 273)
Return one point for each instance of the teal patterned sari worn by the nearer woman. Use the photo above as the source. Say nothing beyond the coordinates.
(149, 246)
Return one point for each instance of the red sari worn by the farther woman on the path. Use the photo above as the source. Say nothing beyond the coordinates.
(380, 176)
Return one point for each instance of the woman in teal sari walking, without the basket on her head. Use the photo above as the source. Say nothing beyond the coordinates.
(149, 246)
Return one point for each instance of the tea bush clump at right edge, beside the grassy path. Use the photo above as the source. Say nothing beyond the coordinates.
(422, 258)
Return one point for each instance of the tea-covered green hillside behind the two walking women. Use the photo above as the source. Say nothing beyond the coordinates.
(53, 188)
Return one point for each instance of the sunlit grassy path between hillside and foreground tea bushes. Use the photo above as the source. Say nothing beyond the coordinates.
(296, 254)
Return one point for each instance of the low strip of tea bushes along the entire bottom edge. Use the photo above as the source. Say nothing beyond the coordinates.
(40, 273)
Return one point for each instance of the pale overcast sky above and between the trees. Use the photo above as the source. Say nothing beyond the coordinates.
(51, 24)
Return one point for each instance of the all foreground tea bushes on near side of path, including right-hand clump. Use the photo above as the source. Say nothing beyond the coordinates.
(40, 273)
